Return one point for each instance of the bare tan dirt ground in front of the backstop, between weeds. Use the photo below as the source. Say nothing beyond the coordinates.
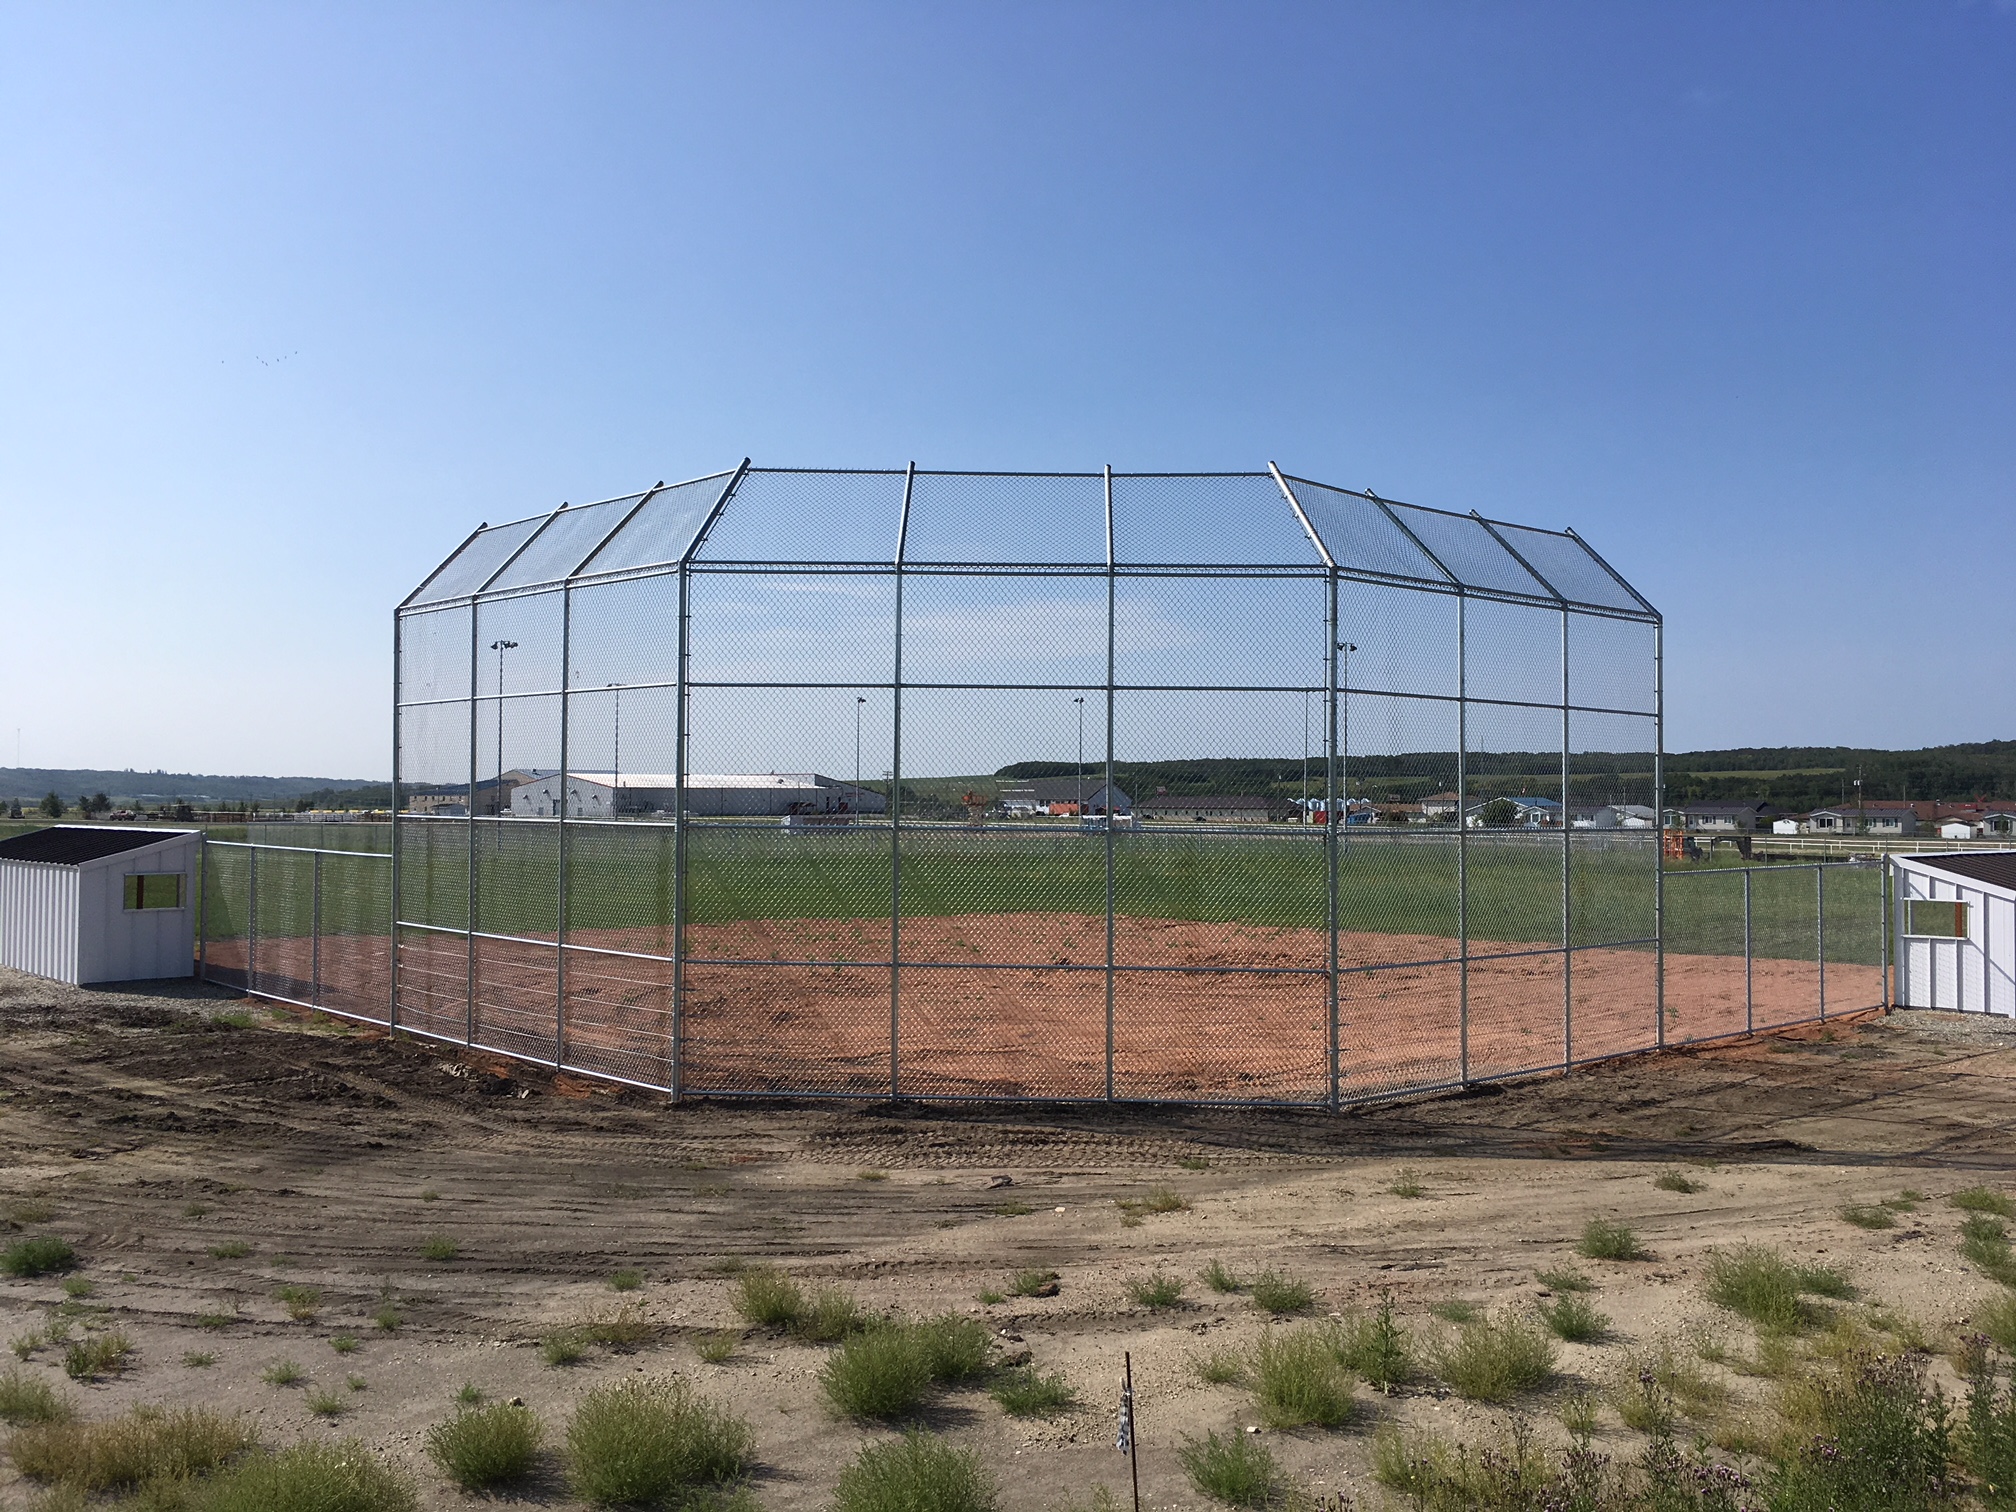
(154, 1132)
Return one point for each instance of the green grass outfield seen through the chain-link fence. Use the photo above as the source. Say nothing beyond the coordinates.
(622, 878)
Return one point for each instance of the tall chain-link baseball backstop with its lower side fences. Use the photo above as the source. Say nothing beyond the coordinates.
(1033, 787)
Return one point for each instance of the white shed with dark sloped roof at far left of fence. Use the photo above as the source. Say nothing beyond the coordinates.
(100, 902)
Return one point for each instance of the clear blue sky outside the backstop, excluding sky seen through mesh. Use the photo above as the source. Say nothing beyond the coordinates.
(291, 297)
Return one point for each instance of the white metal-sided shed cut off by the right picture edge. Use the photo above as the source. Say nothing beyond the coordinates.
(1957, 932)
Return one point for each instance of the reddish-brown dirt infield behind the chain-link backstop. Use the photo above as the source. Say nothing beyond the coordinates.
(1015, 1005)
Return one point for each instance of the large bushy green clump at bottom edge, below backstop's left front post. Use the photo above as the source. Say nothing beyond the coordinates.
(652, 1440)
